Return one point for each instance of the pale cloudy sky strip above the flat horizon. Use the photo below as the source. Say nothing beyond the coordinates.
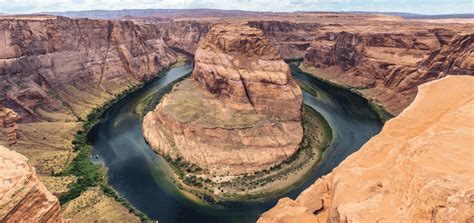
(428, 7)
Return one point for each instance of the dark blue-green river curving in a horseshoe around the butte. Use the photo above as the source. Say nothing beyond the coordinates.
(143, 177)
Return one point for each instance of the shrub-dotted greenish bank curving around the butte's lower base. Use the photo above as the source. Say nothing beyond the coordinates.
(317, 137)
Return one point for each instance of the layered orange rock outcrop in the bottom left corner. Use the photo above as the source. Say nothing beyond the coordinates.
(23, 198)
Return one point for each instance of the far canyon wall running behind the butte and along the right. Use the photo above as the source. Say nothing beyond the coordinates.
(383, 58)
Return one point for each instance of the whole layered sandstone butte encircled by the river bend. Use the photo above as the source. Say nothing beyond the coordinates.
(239, 113)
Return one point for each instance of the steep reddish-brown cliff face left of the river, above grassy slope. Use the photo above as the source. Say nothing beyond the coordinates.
(58, 69)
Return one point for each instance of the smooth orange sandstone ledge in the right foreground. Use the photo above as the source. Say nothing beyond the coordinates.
(419, 168)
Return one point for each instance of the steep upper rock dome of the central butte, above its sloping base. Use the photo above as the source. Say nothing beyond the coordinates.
(238, 64)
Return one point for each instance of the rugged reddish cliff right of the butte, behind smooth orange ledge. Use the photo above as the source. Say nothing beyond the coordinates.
(387, 67)
